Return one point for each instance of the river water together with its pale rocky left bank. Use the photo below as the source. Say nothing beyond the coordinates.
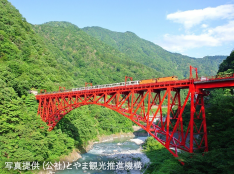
(122, 147)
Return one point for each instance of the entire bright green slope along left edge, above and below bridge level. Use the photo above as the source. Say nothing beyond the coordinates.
(25, 63)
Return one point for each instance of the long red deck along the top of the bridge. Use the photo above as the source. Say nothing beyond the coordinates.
(178, 84)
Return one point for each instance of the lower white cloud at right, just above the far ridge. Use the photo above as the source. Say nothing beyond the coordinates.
(212, 37)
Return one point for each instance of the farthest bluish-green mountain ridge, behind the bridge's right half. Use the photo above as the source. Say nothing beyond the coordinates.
(154, 56)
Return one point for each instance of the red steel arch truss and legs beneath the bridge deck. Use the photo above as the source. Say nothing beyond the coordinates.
(175, 129)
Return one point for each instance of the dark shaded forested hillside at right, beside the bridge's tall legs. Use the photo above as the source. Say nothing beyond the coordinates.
(219, 119)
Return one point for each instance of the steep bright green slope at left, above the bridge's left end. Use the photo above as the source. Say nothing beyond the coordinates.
(25, 61)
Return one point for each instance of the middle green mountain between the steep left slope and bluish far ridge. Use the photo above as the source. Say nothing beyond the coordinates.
(87, 58)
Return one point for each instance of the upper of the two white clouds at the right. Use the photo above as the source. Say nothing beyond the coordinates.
(191, 18)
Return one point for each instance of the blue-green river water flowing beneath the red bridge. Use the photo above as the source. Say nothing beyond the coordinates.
(121, 155)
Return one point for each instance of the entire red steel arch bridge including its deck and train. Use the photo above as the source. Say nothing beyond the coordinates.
(143, 103)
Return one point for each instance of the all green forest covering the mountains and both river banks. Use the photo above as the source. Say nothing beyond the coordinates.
(34, 57)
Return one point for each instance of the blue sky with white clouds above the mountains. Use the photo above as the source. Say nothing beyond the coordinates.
(196, 28)
